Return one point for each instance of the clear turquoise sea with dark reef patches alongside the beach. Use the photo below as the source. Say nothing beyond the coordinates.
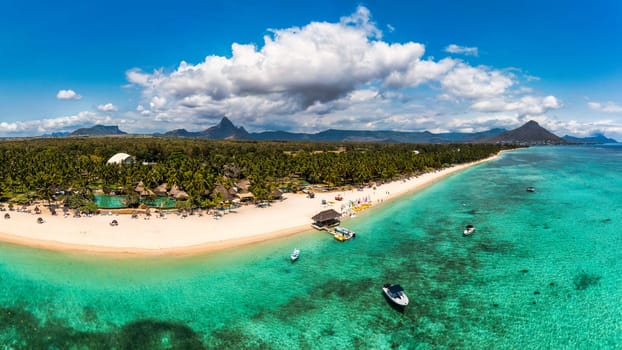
(543, 270)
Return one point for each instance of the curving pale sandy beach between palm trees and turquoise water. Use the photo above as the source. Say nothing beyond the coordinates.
(195, 234)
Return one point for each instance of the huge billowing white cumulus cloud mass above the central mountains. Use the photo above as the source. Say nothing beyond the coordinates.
(330, 74)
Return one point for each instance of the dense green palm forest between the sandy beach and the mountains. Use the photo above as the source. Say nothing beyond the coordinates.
(72, 170)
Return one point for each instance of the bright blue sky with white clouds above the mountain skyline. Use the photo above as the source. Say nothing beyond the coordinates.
(308, 66)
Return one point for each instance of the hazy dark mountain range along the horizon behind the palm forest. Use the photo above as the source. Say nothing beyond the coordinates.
(530, 133)
